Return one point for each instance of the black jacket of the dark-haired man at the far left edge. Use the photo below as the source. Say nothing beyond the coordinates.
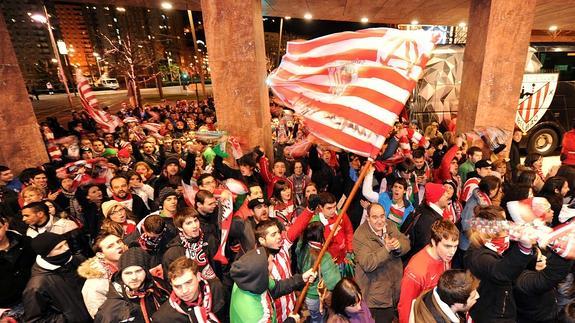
(15, 266)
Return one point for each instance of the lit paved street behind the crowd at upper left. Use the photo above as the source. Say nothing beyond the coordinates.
(57, 105)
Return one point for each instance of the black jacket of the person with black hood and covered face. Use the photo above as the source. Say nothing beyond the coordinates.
(55, 295)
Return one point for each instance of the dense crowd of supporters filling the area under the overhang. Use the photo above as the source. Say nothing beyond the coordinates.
(168, 219)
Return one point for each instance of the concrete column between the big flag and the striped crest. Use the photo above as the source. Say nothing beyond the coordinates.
(493, 62)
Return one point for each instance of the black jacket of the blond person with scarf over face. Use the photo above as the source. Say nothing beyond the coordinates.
(497, 274)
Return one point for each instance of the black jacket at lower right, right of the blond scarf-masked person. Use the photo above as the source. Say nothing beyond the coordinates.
(535, 291)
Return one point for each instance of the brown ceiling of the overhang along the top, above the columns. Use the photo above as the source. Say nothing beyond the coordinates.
(440, 12)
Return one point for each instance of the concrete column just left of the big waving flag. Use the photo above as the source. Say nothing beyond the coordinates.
(235, 41)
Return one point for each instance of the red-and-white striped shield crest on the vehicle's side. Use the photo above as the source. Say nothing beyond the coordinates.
(537, 92)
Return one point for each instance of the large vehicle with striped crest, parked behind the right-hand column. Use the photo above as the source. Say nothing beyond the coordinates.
(546, 103)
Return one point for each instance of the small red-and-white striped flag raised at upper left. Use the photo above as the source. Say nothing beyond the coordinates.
(107, 121)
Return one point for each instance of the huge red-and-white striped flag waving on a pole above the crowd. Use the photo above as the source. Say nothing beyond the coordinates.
(351, 86)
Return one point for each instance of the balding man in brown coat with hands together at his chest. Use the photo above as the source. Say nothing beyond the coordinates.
(378, 247)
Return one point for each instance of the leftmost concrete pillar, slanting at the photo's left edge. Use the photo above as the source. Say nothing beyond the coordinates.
(21, 143)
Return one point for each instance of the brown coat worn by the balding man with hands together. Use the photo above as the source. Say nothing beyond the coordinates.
(378, 272)
